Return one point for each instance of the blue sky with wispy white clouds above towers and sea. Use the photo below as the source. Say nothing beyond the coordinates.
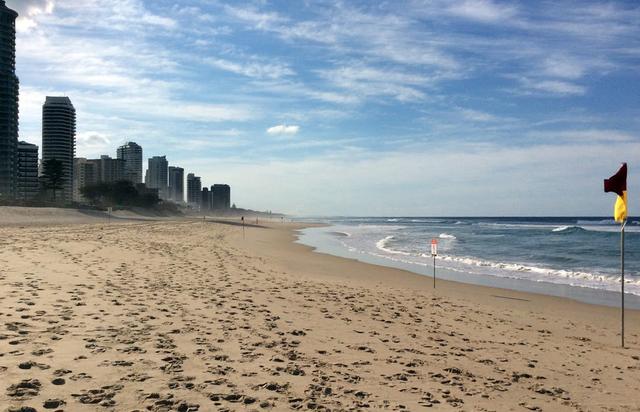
(416, 107)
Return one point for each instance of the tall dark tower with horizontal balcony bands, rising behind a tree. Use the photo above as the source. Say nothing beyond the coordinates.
(59, 138)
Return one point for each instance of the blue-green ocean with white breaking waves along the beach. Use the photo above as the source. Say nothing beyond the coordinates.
(573, 257)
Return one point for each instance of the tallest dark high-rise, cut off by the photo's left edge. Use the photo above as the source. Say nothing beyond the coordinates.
(8, 103)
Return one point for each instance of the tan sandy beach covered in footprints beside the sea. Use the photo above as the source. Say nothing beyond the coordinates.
(186, 316)
